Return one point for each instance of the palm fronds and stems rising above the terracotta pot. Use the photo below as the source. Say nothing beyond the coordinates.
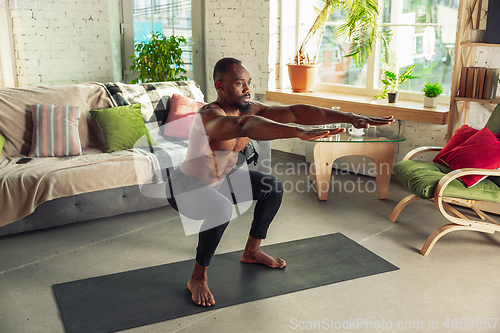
(361, 27)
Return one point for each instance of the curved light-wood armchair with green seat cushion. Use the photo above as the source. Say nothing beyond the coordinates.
(441, 185)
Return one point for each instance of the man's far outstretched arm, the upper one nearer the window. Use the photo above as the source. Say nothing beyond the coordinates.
(311, 115)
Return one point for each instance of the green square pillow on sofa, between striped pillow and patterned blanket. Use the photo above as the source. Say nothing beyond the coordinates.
(122, 127)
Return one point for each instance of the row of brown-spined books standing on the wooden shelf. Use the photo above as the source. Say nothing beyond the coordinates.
(478, 82)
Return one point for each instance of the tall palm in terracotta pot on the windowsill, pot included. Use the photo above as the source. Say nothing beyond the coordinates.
(361, 27)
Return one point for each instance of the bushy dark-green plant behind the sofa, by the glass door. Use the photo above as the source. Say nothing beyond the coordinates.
(159, 59)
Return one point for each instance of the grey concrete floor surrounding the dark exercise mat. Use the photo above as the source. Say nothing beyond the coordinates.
(459, 279)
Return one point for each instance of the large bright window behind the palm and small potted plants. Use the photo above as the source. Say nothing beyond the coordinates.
(424, 33)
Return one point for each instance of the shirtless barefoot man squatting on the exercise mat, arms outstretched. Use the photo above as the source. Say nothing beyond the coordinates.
(220, 130)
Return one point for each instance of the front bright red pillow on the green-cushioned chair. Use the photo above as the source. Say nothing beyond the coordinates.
(482, 150)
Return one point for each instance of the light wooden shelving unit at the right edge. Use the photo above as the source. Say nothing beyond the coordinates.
(465, 56)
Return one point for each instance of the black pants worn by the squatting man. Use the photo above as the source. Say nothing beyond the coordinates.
(199, 201)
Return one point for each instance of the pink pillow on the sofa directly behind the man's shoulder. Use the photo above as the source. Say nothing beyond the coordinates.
(181, 115)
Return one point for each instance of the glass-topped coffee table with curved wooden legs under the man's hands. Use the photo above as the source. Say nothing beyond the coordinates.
(375, 144)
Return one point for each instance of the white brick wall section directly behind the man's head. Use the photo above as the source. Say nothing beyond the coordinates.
(239, 29)
